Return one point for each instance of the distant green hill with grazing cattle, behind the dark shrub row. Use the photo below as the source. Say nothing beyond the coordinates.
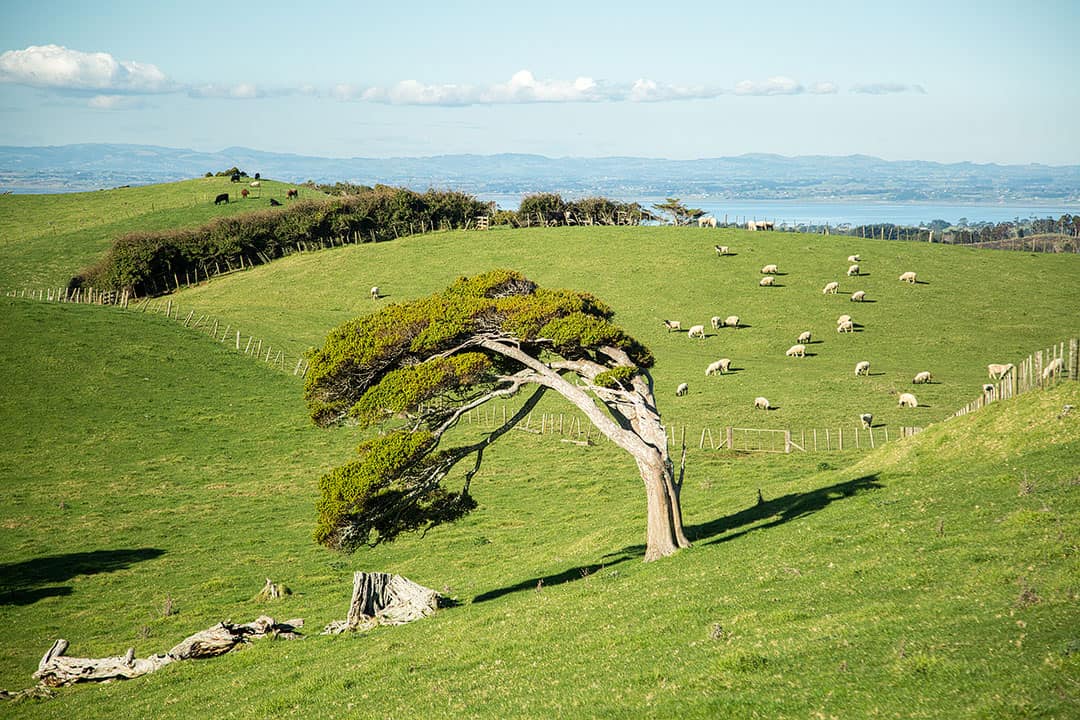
(45, 240)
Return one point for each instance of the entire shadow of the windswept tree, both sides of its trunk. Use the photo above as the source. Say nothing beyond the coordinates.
(784, 510)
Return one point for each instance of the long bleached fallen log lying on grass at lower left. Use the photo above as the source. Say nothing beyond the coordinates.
(57, 670)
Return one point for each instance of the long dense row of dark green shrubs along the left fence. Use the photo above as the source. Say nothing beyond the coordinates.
(147, 263)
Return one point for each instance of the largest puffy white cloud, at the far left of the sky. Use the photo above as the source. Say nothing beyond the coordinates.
(61, 69)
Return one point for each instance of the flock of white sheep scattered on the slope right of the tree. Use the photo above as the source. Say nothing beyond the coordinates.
(844, 324)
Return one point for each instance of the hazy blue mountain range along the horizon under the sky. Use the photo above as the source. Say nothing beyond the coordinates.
(78, 168)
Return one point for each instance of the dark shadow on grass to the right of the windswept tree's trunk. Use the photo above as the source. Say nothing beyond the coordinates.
(781, 510)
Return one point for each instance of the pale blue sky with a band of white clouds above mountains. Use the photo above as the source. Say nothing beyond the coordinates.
(980, 81)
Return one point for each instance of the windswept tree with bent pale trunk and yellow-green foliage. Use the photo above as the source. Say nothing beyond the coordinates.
(417, 368)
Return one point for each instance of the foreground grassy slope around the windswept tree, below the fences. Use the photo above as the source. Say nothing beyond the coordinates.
(895, 588)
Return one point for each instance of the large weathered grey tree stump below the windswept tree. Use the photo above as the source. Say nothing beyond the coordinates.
(381, 599)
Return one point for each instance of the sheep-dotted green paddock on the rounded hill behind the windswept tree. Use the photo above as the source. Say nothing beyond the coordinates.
(976, 308)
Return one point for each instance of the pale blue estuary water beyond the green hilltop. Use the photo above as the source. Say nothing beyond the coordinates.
(836, 213)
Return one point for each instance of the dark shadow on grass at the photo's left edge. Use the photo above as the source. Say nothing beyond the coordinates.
(30, 581)
